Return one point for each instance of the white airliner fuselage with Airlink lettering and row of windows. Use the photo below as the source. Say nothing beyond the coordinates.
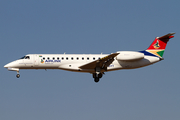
(72, 62)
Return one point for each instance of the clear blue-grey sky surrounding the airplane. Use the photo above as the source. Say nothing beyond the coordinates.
(90, 27)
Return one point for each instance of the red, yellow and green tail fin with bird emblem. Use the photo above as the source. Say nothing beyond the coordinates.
(159, 44)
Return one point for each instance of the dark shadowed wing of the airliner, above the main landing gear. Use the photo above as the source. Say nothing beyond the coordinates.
(103, 63)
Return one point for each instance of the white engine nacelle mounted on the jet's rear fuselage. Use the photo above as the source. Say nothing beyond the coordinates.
(129, 55)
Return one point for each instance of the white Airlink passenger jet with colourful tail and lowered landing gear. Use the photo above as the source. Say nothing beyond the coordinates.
(96, 64)
